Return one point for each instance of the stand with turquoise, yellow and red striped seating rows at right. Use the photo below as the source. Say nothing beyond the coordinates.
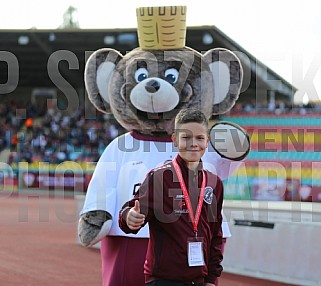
(284, 160)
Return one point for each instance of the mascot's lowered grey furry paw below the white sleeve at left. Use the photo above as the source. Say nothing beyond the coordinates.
(92, 226)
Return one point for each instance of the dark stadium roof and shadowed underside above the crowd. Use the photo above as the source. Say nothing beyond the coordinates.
(40, 58)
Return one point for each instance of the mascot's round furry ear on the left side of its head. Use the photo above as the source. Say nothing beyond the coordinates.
(98, 71)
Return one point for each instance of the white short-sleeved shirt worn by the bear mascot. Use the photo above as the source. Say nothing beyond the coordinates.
(124, 165)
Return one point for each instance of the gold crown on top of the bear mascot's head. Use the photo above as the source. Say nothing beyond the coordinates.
(161, 28)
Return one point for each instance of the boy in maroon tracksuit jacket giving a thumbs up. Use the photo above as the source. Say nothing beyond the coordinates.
(182, 203)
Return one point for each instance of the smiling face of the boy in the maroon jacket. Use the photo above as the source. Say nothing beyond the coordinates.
(191, 139)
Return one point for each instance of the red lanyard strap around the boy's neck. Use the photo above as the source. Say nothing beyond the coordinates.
(193, 218)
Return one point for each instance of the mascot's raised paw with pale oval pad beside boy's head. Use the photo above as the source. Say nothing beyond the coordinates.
(230, 140)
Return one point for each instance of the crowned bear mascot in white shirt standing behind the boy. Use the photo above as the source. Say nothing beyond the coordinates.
(144, 90)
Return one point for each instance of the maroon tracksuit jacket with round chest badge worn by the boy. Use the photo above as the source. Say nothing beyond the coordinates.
(162, 201)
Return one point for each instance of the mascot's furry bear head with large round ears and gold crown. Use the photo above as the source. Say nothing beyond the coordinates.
(146, 88)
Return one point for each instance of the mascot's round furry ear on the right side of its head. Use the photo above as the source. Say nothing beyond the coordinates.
(227, 75)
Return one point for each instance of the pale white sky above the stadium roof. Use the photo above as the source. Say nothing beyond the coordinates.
(283, 34)
